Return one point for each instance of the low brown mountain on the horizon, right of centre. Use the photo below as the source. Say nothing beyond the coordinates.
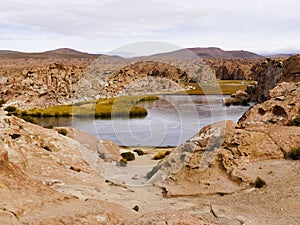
(213, 52)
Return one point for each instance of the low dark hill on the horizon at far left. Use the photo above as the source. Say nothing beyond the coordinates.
(57, 53)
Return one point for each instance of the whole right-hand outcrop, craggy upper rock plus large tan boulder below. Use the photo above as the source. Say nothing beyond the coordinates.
(217, 159)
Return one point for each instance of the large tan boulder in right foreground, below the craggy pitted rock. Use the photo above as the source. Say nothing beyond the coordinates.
(216, 160)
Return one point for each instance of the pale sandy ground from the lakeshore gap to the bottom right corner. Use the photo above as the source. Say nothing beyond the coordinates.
(277, 203)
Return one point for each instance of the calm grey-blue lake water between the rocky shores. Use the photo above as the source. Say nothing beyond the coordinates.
(171, 120)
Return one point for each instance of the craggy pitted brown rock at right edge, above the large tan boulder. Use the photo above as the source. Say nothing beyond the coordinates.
(282, 108)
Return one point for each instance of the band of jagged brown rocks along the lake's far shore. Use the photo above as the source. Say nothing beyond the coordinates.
(64, 76)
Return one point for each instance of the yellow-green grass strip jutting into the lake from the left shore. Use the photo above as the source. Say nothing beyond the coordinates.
(124, 106)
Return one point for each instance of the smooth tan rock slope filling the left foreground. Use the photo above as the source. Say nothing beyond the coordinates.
(33, 162)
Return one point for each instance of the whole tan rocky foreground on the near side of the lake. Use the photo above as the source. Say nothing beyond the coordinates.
(227, 173)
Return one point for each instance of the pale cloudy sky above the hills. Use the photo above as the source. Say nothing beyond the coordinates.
(101, 26)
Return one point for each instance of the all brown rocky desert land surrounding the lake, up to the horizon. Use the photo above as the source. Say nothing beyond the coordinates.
(227, 173)
